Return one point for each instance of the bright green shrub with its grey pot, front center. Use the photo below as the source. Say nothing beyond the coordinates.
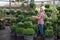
(29, 33)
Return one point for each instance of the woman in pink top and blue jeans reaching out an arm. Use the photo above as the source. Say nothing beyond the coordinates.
(40, 18)
